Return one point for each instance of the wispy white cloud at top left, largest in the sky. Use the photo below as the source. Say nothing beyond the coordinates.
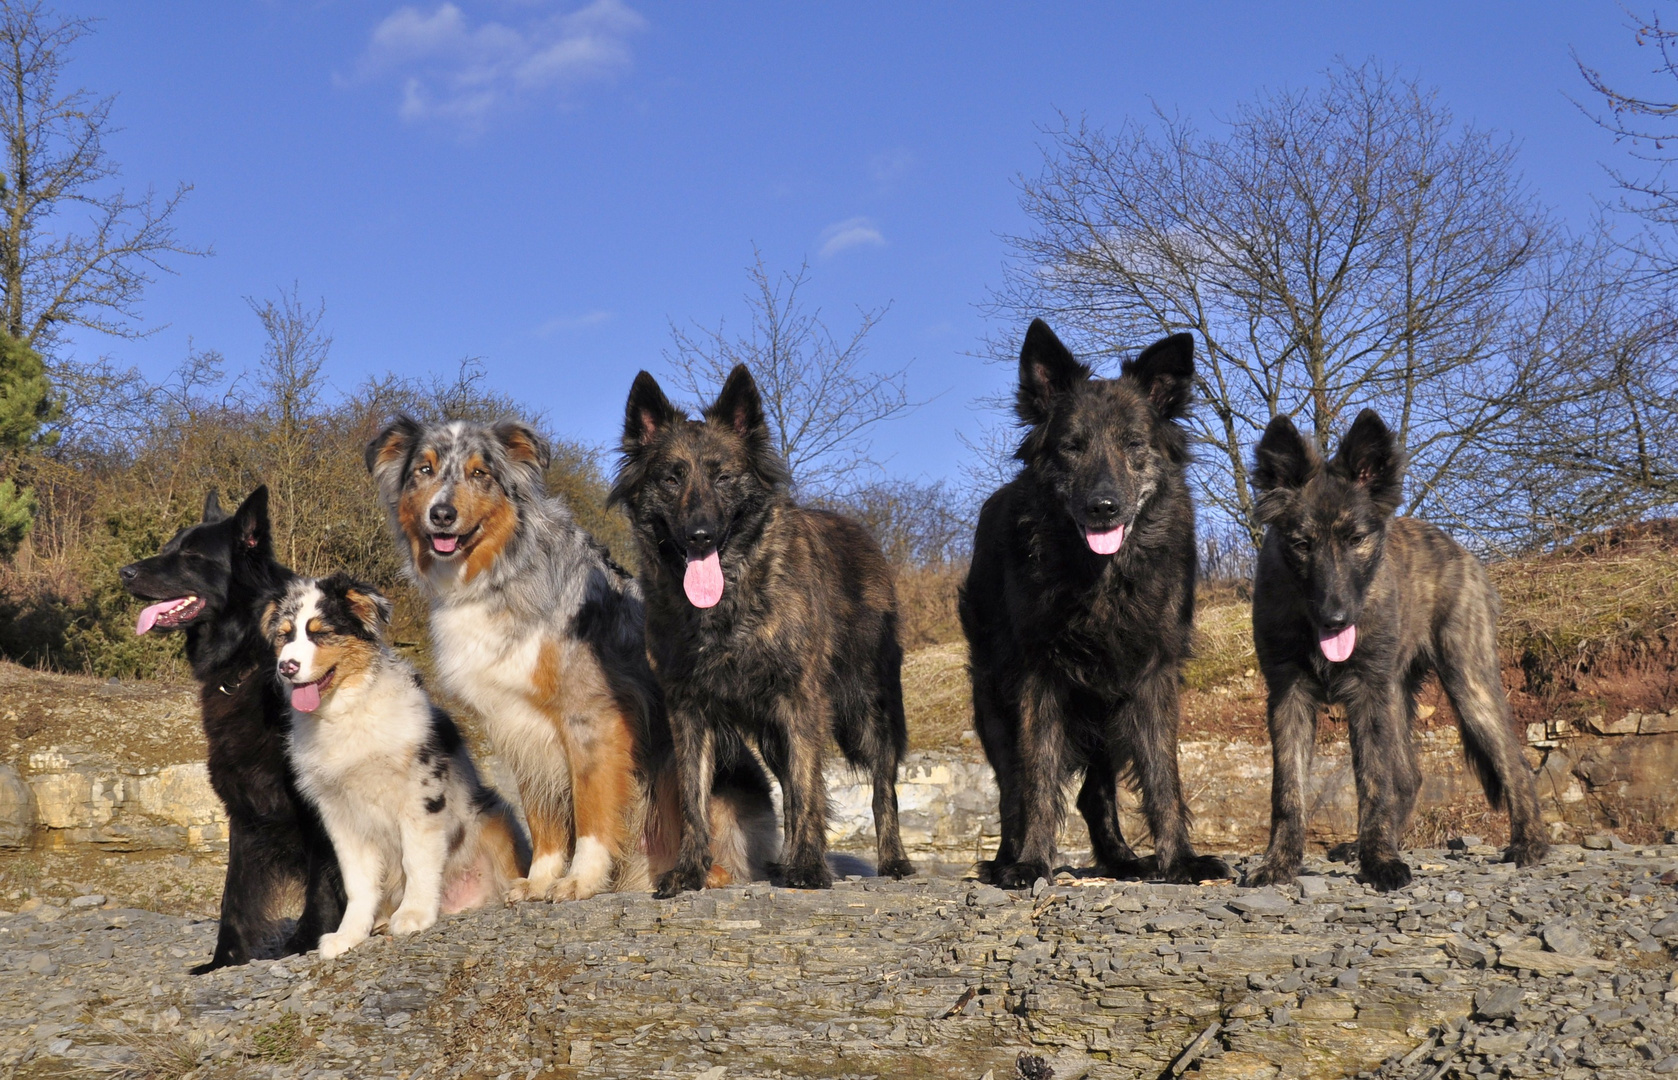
(456, 71)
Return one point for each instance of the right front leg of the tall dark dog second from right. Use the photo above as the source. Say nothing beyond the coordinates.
(1150, 722)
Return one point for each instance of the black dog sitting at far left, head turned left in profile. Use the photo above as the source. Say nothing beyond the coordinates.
(214, 581)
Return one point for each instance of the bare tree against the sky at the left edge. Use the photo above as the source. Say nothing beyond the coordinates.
(56, 274)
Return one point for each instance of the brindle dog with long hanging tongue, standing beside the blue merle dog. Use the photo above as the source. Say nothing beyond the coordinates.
(766, 621)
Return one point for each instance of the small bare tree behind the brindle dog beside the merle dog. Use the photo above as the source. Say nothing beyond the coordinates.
(821, 400)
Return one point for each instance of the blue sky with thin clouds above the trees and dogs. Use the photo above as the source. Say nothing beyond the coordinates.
(550, 185)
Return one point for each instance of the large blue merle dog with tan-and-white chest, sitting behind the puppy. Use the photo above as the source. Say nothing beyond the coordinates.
(541, 633)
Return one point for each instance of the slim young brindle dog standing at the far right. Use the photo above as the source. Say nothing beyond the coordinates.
(1355, 608)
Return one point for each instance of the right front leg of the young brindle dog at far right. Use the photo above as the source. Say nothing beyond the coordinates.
(1382, 766)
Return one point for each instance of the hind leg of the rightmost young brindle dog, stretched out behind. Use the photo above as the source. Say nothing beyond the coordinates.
(1469, 670)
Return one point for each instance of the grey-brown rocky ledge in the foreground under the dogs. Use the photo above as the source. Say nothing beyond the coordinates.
(1477, 970)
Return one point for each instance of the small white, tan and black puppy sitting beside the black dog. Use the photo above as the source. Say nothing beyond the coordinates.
(415, 828)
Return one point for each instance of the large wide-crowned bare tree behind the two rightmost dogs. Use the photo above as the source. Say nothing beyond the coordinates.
(1331, 251)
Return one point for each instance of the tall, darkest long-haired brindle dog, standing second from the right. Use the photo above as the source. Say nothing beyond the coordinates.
(1078, 610)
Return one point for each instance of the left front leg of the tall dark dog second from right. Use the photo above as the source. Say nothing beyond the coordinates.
(1040, 772)
